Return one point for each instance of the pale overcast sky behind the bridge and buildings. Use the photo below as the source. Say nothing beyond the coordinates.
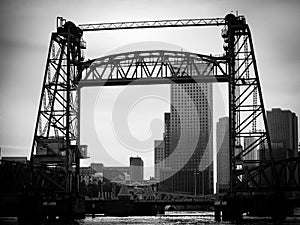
(26, 26)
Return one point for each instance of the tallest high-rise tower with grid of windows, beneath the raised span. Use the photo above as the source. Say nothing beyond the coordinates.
(191, 147)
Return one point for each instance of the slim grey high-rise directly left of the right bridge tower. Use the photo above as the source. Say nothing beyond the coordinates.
(223, 164)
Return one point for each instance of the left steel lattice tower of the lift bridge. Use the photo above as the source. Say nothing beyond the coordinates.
(55, 136)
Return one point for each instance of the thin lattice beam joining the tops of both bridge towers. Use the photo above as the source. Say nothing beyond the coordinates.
(153, 24)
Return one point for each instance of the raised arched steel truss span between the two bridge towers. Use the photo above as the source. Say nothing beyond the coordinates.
(154, 67)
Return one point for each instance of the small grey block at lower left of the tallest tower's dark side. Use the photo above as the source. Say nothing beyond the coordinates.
(159, 156)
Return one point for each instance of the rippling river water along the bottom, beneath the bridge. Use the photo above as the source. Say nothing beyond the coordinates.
(182, 217)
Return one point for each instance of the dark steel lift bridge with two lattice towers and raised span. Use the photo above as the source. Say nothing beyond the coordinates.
(53, 171)
